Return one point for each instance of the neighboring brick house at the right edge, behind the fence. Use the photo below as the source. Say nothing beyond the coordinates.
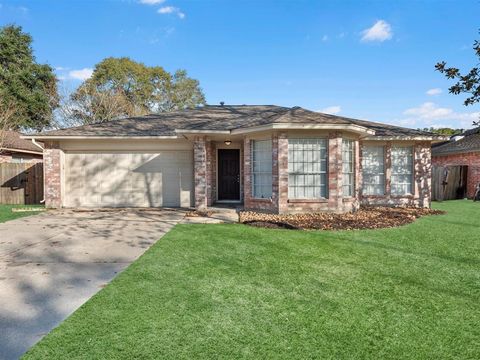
(461, 150)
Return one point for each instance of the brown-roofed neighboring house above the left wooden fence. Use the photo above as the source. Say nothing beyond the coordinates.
(14, 149)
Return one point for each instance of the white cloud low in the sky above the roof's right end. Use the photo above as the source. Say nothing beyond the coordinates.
(429, 113)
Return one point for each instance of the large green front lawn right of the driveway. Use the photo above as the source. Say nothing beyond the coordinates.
(233, 291)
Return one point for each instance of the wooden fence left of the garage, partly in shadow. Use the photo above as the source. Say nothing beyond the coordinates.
(21, 183)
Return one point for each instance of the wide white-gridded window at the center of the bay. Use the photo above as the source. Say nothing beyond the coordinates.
(307, 168)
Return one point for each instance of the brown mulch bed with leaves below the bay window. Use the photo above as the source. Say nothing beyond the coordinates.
(365, 218)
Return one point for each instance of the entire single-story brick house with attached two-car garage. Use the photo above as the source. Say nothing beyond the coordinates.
(267, 157)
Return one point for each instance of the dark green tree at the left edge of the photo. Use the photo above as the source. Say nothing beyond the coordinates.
(29, 87)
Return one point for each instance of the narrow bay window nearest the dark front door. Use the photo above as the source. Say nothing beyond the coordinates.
(261, 168)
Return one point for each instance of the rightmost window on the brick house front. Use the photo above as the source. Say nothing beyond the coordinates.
(402, 170)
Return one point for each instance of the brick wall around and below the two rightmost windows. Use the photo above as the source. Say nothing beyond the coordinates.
(422, 180)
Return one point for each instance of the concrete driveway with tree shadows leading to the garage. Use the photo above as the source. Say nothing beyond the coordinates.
(52, 263)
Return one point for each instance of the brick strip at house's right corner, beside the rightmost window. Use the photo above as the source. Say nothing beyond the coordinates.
(423, 173)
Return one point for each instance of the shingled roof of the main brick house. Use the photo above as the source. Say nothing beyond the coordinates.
(227, 118)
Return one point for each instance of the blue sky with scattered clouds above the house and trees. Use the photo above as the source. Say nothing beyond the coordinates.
(366, 59)
